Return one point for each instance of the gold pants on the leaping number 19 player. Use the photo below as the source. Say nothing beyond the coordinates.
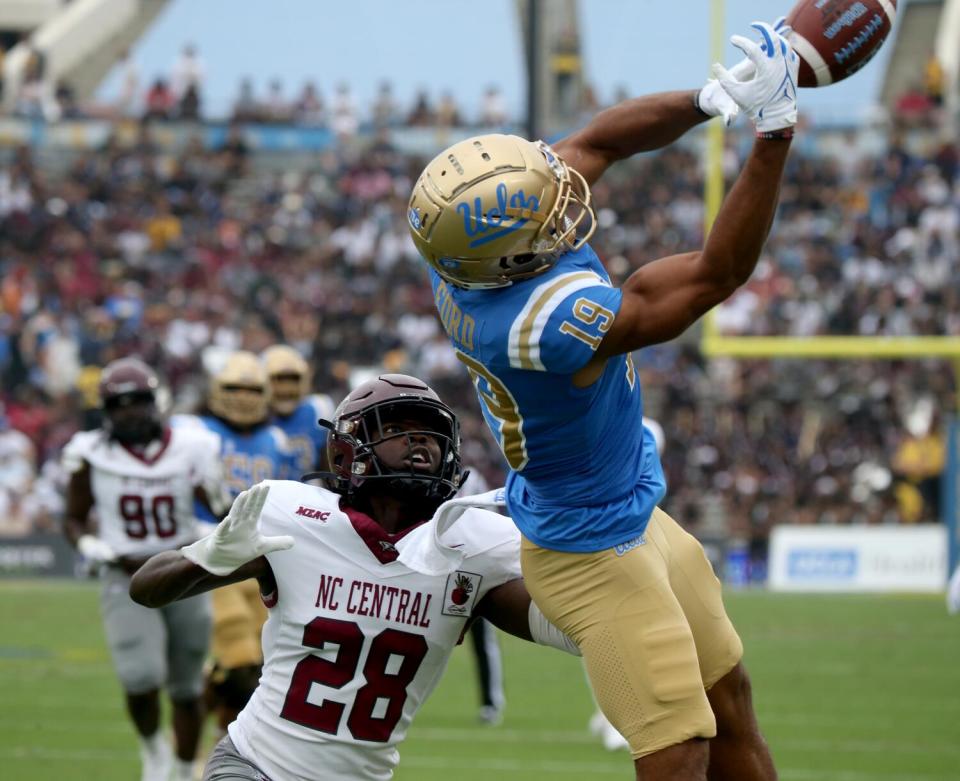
(651, 625)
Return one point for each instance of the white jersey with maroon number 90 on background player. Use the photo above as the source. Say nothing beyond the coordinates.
(145, 502)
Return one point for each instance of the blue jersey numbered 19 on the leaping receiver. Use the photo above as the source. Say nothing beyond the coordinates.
(585, 473)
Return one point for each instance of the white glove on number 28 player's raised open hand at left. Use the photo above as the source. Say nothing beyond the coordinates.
(236, 540)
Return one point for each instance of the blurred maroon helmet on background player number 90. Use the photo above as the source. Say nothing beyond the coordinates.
(128, 396)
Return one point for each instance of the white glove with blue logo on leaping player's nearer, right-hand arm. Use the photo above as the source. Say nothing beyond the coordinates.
(770, 97)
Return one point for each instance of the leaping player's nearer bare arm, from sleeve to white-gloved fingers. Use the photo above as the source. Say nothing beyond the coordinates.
(663, 298)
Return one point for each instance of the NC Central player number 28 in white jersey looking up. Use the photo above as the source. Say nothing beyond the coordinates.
(358, 634)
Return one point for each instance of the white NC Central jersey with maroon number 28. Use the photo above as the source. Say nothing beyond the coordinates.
(356, 639)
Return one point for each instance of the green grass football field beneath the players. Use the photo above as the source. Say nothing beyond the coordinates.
(847, 689)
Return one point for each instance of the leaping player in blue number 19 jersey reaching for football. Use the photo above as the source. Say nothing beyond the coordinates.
(504, 225)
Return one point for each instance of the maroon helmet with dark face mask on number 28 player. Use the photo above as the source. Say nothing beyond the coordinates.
(357, 428)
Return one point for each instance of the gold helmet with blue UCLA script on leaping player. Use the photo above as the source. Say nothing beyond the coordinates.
(495, 209)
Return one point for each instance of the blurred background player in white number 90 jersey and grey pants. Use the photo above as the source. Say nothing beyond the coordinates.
(142, 478)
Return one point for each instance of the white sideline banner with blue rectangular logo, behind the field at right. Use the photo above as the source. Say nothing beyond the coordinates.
(858, 558)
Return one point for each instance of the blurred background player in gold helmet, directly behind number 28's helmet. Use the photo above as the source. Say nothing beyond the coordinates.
(295, 410)
